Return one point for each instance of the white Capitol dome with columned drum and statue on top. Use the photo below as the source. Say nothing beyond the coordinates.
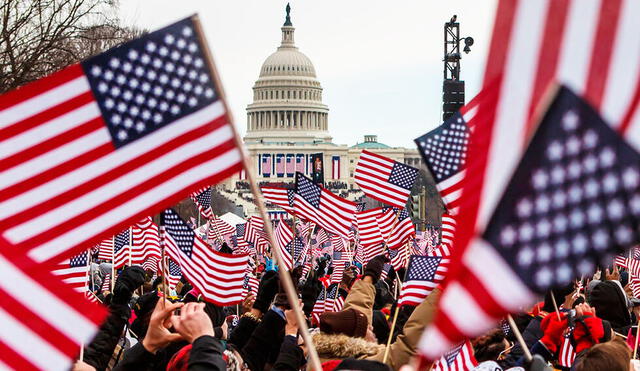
(287, 103)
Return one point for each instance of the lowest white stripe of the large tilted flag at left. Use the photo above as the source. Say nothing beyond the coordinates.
(126, 210)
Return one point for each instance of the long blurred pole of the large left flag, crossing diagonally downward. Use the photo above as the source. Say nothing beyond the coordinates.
(285, 278)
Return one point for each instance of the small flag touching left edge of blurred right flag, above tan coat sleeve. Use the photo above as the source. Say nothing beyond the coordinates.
(423, 275)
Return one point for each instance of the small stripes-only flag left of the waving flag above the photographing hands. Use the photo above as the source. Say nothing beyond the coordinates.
(146, 245)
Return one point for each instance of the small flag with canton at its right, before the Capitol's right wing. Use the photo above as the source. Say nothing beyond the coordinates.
(384, 179)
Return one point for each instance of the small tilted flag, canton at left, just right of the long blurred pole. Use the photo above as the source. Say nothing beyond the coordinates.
(315, 203)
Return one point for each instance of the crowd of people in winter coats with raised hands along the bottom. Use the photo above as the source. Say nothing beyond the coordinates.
(161, 330)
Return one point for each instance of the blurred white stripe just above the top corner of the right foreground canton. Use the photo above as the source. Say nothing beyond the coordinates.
(577, 44)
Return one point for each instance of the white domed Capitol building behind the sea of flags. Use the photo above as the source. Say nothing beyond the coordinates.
(287, 123)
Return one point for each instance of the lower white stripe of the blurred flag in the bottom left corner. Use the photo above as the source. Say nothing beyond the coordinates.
(30, 345)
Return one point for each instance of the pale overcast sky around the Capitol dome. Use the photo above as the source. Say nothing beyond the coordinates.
(379, 62)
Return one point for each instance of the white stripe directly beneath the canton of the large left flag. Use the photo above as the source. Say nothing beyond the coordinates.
(104, 164)
